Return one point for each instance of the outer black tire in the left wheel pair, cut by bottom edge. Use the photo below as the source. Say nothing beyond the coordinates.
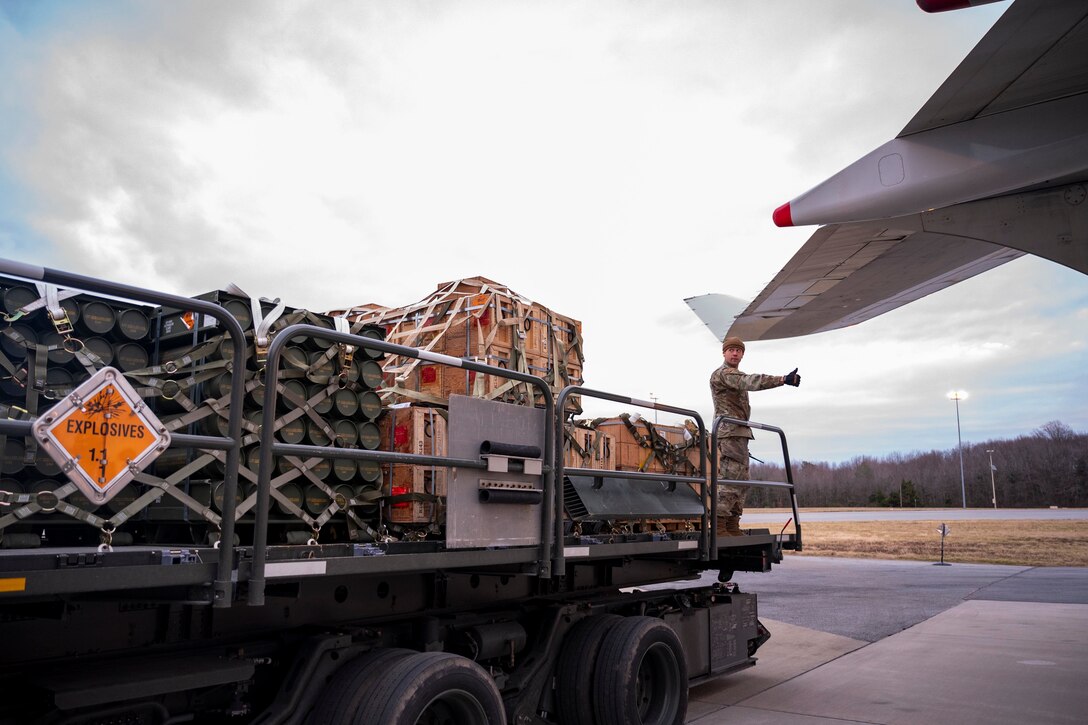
(434, 689)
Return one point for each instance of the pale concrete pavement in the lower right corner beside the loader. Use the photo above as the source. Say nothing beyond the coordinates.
(979, 662)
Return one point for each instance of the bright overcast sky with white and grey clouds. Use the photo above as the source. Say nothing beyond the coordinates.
(607, 159)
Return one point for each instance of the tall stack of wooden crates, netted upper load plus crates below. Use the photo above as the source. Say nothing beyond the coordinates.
(473, 318)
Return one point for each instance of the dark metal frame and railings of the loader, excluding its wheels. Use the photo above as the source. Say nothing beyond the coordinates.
(310, 608)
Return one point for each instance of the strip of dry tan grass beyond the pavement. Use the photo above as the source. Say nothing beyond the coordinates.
(1023, 544)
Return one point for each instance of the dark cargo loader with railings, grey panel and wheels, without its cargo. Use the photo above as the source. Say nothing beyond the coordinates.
(499, 616)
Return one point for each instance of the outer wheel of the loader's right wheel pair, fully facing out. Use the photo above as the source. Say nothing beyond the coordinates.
(642, 675)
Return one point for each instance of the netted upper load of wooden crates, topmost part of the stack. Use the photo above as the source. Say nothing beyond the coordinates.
(486, 322)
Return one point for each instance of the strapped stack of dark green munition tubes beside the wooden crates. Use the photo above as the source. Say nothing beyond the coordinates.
(326, 397)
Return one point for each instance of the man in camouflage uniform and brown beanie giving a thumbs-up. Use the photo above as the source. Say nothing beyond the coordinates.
(730, 389)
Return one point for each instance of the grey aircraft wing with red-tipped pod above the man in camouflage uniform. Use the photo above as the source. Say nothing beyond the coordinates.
(993, 167)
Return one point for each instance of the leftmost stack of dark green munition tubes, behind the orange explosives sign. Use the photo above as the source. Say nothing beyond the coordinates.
(51, 341)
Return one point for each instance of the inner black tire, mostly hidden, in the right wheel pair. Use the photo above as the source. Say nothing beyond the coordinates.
(578, 660)
